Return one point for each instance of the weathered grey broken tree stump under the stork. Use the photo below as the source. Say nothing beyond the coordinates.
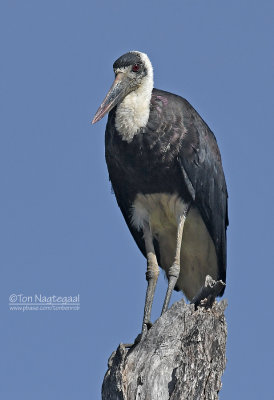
(182, 357)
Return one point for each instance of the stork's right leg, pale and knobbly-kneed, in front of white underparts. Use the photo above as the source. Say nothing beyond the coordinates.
(174, 270)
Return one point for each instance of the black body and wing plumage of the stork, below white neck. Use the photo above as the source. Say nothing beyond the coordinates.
(175, 153)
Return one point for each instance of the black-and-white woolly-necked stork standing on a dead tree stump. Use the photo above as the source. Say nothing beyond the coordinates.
(166, 172)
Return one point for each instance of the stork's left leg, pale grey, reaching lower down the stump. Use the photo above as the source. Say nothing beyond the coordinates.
(151, 276)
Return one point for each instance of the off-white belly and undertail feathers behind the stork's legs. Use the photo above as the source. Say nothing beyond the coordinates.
(198, 256)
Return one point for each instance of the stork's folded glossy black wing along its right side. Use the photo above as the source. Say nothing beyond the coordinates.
(200, 162)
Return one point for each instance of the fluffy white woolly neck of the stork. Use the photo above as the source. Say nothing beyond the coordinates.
(133, 113)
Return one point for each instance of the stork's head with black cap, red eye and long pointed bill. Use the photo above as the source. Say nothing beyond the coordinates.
(132, 71)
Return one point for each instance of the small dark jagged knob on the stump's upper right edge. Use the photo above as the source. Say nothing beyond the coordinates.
(208, 293)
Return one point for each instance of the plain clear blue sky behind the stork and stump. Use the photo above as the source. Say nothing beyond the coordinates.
(61, 230)
